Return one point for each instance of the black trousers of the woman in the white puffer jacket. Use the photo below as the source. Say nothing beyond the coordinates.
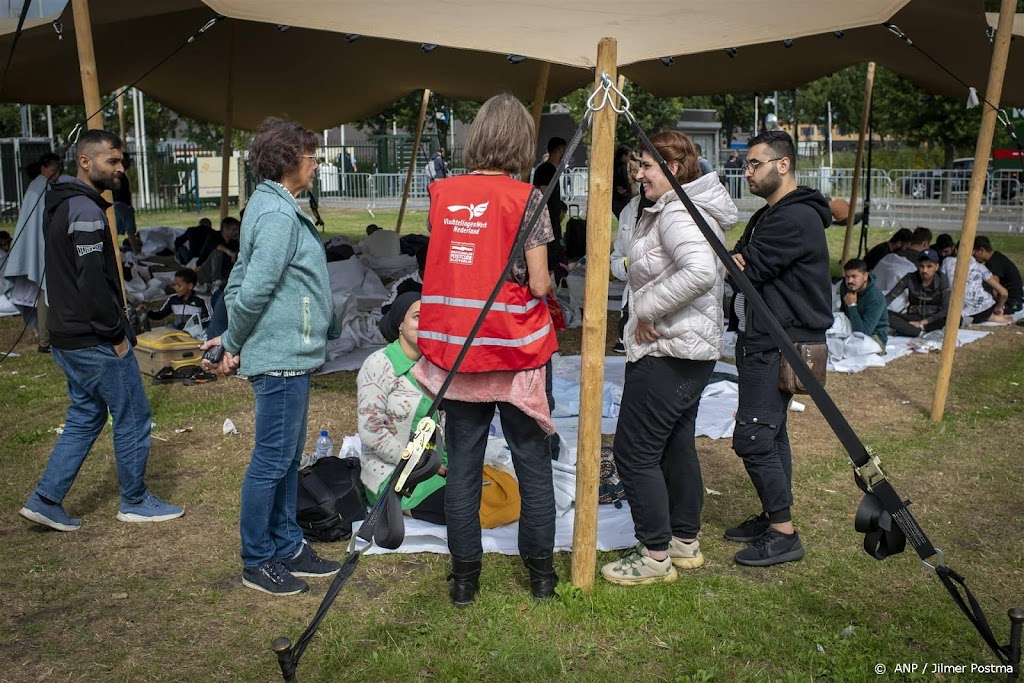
(655, 448)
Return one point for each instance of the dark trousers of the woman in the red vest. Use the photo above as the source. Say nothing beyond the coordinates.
(466, 434)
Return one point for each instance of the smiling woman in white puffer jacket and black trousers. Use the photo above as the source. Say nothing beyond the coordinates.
(673, 339)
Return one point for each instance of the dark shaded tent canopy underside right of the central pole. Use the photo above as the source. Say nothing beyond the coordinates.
(954, 32)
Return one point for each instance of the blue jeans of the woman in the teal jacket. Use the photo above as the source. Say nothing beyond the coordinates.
(269, 527)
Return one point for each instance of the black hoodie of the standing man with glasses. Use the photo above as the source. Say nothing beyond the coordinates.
(788, 263)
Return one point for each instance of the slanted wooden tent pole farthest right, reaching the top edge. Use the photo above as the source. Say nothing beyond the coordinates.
(993, 95)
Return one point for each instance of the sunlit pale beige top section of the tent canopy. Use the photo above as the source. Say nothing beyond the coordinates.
(567, 32)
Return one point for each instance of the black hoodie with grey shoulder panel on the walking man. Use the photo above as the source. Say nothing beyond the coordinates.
(82, 284)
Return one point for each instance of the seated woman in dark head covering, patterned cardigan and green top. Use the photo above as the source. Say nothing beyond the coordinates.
(391, 405)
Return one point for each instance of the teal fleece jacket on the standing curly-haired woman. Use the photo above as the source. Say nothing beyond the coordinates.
(280, 309)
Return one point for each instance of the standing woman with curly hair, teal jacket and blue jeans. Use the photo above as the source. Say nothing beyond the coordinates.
(280, 316)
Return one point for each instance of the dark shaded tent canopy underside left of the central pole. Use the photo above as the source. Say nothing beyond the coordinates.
(316, 77)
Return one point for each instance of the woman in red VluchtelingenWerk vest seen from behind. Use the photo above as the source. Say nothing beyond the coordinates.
(475, 221)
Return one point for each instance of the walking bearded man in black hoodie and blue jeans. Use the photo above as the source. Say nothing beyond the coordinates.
(88, 336)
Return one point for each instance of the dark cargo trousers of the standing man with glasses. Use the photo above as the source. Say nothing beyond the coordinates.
(760, 438)
